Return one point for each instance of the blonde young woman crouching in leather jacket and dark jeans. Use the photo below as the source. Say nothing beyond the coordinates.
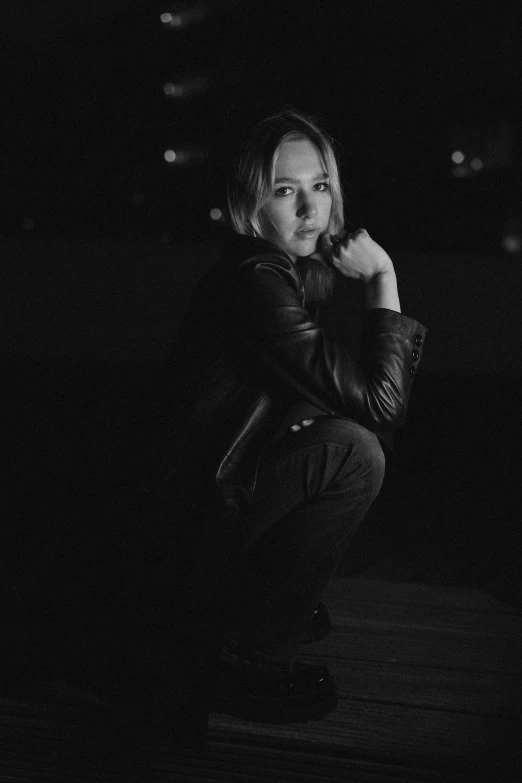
(284, 422)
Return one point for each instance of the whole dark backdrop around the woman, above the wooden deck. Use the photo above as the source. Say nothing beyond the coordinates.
(103, 240)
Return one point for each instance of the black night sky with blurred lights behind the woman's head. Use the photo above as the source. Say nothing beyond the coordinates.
(401, 86)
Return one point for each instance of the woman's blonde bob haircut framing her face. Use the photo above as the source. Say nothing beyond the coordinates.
(253, 171)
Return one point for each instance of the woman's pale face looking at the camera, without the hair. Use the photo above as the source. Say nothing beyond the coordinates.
(297, 210)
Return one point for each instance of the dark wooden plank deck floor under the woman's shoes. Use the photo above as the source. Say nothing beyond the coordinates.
(429, 681)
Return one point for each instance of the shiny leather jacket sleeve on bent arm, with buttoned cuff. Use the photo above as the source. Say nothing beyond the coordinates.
(278, 336)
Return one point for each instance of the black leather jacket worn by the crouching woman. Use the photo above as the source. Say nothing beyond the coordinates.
(250, 350)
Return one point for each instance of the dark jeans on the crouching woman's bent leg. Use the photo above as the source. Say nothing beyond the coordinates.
(313, 490)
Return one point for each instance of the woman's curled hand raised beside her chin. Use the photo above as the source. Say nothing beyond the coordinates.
(356, 255)
